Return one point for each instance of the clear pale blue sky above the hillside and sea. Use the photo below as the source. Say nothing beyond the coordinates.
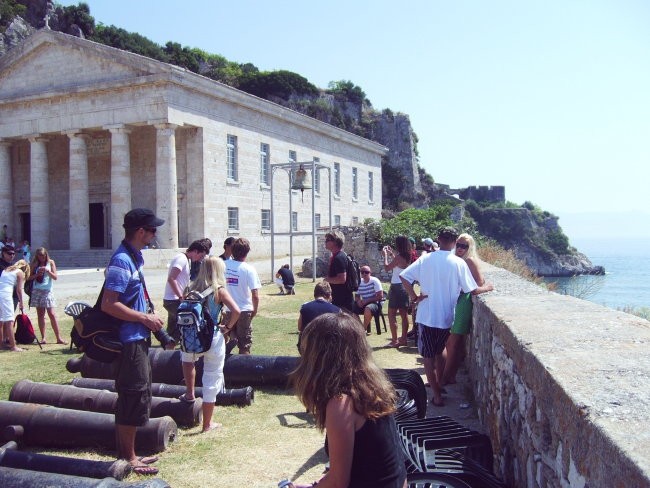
(550, 99)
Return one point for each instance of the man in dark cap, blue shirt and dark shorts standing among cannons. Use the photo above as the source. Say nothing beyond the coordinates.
(125, 299)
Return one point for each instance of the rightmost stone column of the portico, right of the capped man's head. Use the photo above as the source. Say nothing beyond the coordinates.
(166, 186)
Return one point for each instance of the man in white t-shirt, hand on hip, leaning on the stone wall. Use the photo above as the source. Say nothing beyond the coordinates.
(442, 276)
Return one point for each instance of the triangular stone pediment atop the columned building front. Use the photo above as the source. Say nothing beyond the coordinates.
(51, 62)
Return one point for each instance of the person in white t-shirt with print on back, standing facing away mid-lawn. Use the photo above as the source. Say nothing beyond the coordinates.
(243, 284)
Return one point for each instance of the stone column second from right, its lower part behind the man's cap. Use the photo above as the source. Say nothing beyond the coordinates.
(120, 181)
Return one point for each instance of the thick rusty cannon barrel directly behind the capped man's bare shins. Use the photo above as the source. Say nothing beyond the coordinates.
(42, 425)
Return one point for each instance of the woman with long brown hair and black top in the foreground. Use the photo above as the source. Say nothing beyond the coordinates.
(351, 399)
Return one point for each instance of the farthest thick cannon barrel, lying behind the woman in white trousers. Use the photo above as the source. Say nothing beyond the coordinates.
(238, 369)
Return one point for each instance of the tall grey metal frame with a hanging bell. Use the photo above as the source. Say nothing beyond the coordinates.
(298, 181)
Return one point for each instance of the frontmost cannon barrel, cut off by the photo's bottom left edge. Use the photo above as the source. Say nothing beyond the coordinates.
(35, 479)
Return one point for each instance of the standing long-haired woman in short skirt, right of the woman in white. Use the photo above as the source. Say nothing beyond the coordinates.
(42, 298)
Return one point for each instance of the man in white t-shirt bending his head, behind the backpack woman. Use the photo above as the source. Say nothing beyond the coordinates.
(177, 280)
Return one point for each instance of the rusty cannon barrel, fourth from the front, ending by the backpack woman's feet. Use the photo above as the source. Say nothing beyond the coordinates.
(71, 397)
